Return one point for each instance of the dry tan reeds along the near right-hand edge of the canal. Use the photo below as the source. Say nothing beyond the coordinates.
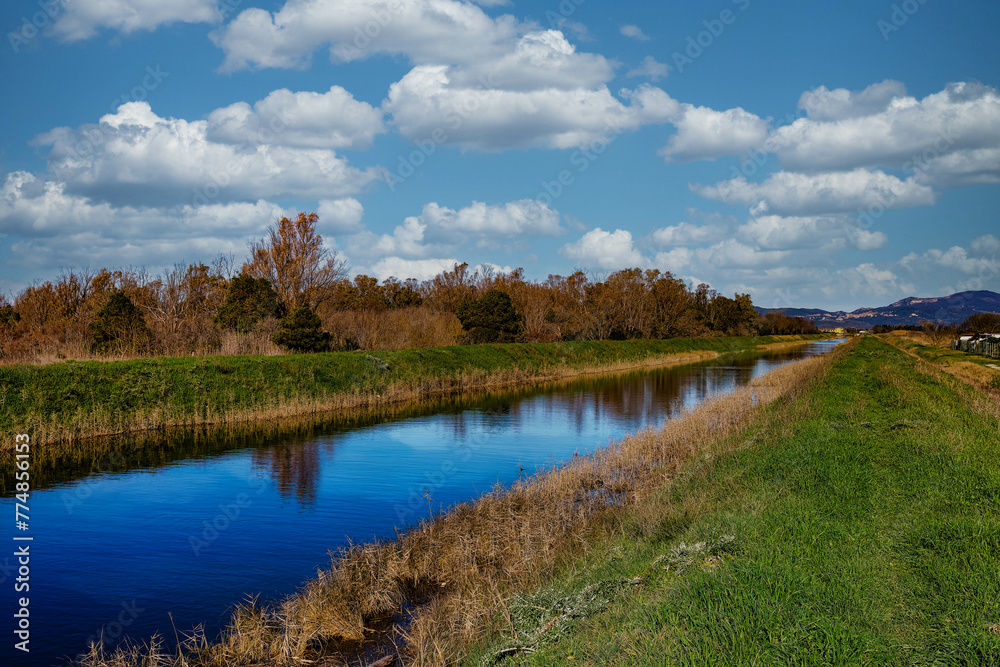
(455, 570)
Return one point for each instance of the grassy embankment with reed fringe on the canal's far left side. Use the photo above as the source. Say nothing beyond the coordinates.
(72, 400)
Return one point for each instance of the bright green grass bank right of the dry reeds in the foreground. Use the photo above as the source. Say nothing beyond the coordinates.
(866, 518)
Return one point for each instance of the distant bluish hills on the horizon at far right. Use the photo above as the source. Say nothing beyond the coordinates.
(911, 310)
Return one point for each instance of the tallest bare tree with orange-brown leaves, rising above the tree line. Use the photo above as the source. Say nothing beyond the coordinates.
(293, 259)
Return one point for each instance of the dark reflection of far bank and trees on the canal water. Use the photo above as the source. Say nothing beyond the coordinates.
(283, 452)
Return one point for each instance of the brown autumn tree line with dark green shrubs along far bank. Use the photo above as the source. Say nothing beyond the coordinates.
(292, 293)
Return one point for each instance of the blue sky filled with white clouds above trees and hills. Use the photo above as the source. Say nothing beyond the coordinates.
(818, 154)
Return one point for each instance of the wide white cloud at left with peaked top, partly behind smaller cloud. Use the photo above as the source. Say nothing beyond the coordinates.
(136, 157)
